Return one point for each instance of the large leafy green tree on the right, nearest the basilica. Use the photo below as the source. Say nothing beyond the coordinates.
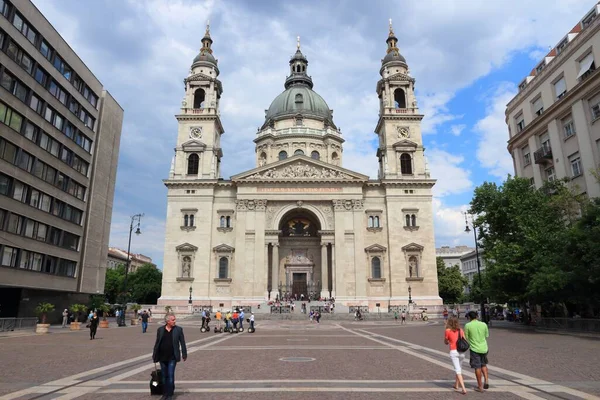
(522, 232)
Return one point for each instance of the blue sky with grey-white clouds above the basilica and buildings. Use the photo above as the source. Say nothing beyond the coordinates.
(467, 58)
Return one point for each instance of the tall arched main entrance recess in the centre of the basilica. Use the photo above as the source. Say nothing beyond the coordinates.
(300, 258)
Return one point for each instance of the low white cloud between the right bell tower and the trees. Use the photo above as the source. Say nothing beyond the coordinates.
(451, 177)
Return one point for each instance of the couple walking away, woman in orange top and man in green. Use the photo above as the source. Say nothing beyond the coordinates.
(475, 333)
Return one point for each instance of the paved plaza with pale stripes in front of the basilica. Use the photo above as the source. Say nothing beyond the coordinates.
(297, 360)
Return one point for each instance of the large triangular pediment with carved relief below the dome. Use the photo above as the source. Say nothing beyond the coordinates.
(299, 168)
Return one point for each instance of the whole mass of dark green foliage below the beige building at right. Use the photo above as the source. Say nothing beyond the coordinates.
(536, 247)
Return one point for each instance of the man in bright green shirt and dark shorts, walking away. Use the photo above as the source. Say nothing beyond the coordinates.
(476, 333)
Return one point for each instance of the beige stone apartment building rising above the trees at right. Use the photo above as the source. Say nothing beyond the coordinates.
(554, 120)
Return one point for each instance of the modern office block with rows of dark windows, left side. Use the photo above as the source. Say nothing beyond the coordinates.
(59, 142)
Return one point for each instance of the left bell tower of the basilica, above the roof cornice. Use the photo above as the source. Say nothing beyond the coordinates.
(198, 153)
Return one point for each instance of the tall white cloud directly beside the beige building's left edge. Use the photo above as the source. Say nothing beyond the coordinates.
(491, 149)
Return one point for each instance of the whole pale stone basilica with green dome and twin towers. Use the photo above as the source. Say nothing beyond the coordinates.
(299, 223)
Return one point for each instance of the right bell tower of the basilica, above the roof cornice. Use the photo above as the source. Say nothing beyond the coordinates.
(400, 152)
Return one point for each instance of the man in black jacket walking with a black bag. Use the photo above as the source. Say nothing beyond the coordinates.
(166, 351)
